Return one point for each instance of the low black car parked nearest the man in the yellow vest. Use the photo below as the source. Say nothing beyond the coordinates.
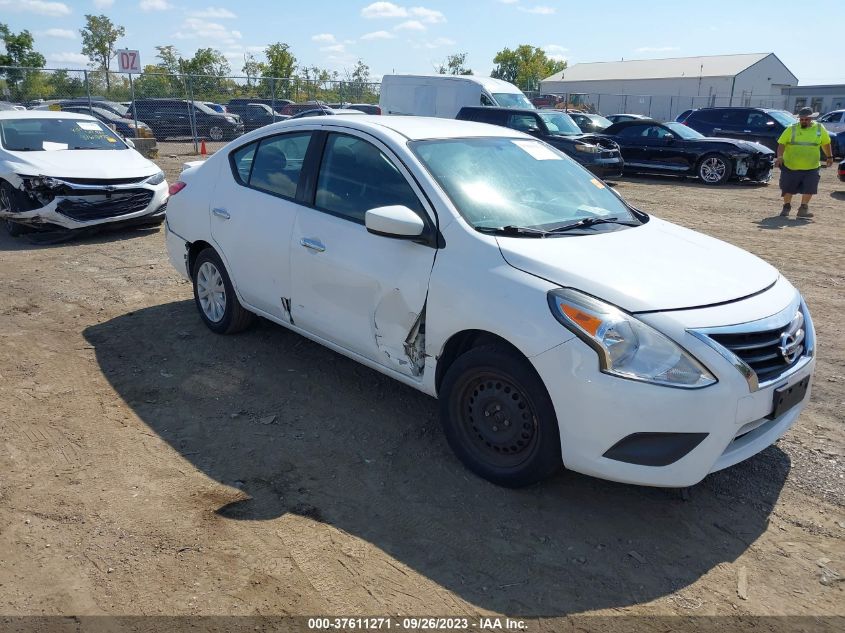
(672, 148)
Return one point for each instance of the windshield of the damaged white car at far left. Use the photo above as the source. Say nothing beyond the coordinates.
(34, 135)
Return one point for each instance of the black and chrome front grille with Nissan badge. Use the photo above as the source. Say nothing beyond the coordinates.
(771, 352)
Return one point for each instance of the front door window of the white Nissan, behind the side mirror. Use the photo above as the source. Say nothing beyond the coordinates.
(356, 176)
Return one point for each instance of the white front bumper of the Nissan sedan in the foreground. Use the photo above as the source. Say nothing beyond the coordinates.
(596, 412)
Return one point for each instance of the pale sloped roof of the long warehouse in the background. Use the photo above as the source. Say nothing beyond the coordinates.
(707, 66)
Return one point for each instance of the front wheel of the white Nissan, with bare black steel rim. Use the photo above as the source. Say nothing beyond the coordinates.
(483, 393)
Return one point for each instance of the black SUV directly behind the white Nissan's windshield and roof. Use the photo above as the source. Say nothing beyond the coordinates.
(598, 154)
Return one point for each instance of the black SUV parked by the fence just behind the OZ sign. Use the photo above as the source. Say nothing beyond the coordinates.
(176, 117)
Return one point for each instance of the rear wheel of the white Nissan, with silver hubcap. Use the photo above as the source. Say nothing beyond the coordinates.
(215, 297)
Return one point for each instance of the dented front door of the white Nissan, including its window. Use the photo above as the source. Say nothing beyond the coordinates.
(363, 292)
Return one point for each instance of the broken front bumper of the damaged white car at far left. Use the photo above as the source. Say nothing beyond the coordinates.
(76, 205)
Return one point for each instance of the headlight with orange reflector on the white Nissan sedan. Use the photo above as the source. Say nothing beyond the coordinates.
(626, 346)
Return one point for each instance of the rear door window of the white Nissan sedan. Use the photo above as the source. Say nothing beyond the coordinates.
(278, 163)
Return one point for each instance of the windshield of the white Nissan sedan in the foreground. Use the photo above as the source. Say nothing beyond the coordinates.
(500, 182)
